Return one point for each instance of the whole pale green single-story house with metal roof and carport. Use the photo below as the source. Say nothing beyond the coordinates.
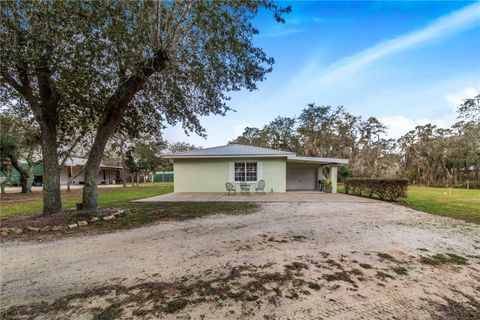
(207, 170)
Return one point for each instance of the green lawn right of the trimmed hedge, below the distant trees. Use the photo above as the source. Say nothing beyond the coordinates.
(458, 203)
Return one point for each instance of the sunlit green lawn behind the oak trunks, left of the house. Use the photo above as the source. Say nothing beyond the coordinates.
(118, 197)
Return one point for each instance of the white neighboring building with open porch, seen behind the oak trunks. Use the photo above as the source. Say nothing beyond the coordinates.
(73, 168)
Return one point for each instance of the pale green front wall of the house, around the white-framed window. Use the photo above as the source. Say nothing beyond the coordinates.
(210, 175)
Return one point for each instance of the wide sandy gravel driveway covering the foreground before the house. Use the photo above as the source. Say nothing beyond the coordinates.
(329, 260)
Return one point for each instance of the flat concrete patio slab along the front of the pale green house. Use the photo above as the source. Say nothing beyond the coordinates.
(305, 196)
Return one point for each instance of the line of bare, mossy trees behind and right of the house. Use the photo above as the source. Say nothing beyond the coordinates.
(427, 155)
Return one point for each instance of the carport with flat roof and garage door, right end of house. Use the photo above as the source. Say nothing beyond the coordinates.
(310, 173)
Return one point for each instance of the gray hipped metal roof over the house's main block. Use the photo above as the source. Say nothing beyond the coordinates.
(230, 150)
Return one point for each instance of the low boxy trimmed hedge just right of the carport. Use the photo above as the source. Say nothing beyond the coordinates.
(384, 189)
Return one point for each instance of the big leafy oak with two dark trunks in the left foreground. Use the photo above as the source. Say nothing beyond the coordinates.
(99, 62)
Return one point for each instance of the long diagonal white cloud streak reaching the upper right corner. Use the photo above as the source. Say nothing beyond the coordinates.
(459, 20)
